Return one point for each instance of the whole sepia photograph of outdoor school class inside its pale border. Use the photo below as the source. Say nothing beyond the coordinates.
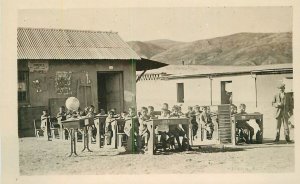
(156, 90)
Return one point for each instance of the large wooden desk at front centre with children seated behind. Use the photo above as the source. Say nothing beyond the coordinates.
(169, 121)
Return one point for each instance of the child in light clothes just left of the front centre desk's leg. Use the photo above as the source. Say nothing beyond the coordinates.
(143, 129)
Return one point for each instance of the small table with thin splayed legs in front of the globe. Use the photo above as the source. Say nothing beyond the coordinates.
(73, 125)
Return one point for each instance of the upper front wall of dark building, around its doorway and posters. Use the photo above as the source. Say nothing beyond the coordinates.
(78, 71)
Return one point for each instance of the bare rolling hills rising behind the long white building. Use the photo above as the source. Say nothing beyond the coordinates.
(236, 49)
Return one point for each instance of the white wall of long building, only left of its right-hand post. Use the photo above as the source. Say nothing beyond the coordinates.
(196, 91)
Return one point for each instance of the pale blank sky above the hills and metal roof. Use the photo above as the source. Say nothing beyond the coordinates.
(180, 24)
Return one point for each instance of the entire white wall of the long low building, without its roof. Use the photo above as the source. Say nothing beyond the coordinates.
(197, 92)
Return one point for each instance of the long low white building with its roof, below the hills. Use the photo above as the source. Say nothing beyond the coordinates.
(189, 85)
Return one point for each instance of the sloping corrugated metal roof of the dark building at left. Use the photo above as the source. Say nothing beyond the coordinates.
(42, 43)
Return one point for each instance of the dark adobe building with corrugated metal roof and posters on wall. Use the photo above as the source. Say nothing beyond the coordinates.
(98, 68)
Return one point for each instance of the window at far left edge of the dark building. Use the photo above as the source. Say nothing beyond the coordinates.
(22, 86)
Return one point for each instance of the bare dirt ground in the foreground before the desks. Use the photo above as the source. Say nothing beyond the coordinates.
(42, 157)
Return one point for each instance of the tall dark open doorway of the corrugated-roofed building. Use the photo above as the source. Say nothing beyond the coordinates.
(110, 91)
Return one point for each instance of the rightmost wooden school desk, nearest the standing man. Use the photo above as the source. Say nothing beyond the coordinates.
(246, 117)
